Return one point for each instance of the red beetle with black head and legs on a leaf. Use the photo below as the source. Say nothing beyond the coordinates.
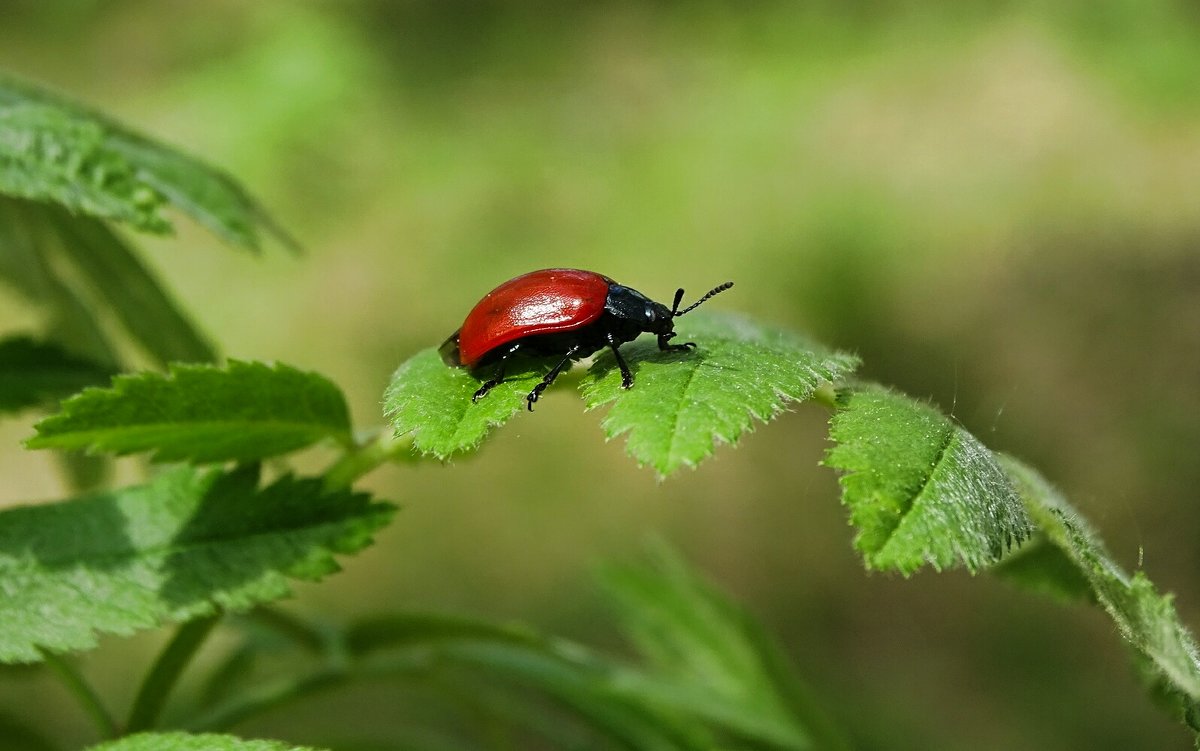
(568, 314)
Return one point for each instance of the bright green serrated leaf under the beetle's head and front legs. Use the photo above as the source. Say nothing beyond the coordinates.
(682, 404)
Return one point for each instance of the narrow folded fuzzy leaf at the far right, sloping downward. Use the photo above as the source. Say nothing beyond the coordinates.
(1145, 618)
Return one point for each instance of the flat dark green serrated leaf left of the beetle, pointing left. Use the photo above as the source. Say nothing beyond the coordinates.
(245, 412)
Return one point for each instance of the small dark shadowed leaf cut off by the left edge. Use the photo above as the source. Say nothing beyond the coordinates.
(37, 374)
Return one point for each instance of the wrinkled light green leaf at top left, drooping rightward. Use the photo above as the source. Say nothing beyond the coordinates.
(55, 151)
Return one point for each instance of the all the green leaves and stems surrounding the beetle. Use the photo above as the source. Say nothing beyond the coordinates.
(194, 543)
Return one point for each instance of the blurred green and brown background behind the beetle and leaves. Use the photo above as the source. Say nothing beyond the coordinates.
(997, 205)
